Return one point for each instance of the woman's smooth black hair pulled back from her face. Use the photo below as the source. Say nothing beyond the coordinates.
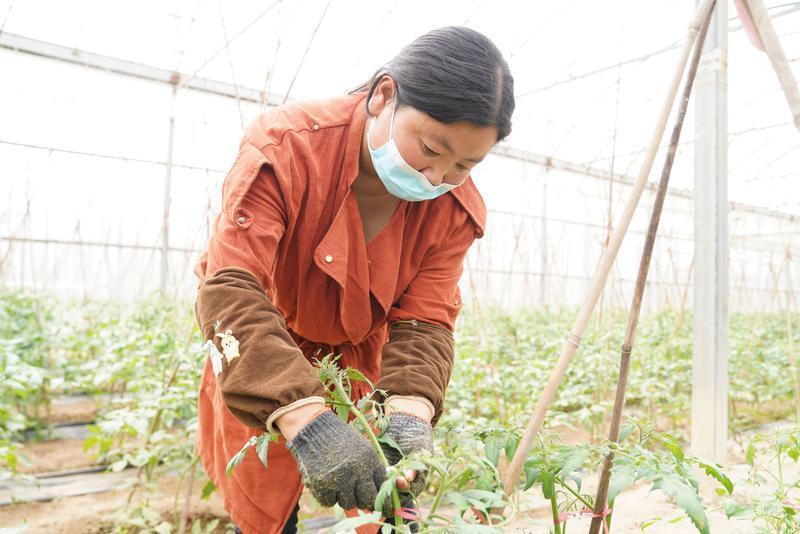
(453, 74)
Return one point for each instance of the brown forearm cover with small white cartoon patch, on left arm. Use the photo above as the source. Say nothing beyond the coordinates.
(271, 371)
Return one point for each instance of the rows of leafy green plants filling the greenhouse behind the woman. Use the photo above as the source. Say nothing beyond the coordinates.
(142, 362)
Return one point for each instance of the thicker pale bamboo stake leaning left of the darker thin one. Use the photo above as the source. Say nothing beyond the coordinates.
(604, 266)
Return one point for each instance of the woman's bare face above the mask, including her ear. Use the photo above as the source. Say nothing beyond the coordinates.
(442, 152)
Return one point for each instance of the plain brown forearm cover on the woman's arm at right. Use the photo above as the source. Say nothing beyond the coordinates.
(417, 360)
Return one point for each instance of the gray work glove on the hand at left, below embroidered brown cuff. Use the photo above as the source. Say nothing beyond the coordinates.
(337, 463)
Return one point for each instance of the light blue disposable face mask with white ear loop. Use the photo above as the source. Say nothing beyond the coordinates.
(400, 178)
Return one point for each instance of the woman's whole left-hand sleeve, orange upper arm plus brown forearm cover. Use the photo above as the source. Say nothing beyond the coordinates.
(270, 371)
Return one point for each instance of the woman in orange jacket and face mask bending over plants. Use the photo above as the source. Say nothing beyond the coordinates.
(343, 230)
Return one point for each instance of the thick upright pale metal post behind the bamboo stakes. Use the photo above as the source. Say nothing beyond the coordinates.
(710, 354)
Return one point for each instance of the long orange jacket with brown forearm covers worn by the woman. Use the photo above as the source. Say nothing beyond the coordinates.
(288, 271)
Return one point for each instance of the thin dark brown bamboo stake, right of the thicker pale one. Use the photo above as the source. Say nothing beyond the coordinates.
(600, 506)
